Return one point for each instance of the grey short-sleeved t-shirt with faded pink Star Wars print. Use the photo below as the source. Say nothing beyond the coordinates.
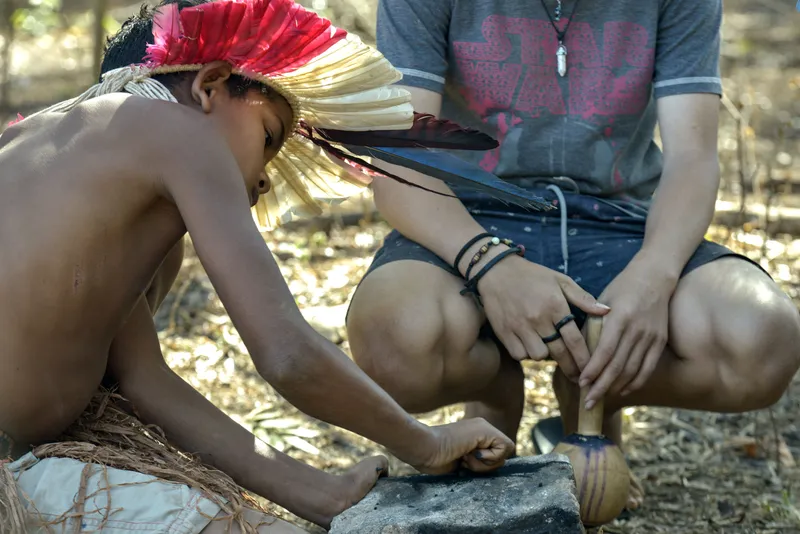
(495, 63)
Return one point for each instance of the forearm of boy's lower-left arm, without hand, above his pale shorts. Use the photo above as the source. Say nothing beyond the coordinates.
(196, 426)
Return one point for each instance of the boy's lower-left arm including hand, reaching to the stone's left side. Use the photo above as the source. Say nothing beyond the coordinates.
(195, 425)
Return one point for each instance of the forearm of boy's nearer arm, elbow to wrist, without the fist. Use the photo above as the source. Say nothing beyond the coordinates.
(316, 377)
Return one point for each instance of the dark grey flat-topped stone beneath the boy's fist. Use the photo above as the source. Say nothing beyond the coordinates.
(530, 495)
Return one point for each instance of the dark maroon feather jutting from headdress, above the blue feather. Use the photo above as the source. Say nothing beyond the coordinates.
(427, 131)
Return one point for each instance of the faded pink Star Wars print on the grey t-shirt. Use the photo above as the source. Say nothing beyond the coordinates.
(607, 76)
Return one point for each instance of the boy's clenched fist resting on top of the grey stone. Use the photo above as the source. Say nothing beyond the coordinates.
(471, 443)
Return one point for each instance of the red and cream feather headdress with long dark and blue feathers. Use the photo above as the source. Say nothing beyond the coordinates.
(338, 88)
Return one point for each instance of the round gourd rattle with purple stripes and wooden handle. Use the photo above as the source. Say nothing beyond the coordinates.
(601, 474)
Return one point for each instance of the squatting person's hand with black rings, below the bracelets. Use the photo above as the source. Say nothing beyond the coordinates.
(523, 303)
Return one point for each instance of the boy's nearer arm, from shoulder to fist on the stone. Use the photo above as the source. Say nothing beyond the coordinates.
(202, 178)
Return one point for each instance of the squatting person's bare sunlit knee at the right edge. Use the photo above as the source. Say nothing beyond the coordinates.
(740, 333)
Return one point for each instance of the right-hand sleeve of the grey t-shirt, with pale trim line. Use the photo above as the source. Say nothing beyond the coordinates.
(688, 48)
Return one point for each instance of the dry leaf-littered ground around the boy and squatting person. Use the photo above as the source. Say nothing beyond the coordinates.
(702, 472)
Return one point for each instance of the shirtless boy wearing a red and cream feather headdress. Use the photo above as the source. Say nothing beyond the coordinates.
(191, 126)
